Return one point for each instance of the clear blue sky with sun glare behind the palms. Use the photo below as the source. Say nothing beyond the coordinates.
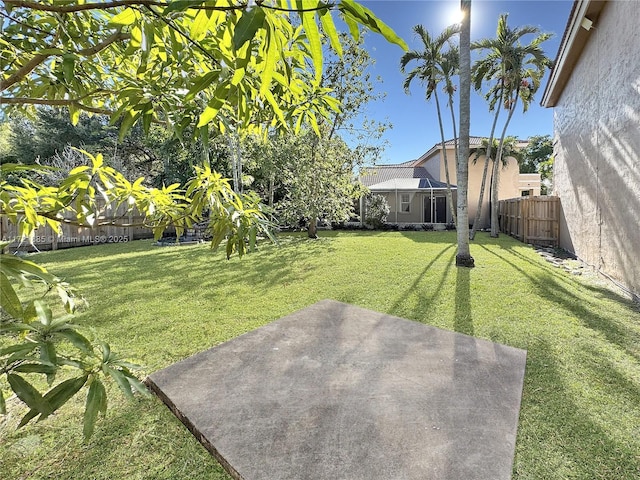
(415, 124)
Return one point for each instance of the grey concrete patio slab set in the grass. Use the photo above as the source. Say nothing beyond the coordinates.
(339, 392)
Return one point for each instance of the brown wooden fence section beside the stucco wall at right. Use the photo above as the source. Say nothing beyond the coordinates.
(532, 220)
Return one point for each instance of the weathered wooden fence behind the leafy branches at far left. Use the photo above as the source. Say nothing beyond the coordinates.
(45, 238)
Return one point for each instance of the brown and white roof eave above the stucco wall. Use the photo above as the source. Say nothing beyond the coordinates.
(573, 42)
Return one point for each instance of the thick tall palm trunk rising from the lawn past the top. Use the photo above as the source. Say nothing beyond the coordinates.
(463, 256)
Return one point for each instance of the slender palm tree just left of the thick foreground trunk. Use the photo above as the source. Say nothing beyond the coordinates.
(430, 71)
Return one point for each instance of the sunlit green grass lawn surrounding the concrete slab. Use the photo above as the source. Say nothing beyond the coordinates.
(580, 415)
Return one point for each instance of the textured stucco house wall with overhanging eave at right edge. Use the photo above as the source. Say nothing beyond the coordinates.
(595, 91)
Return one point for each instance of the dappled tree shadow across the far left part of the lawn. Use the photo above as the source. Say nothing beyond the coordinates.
(202, 273)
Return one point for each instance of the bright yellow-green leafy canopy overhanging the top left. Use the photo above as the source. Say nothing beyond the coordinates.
(227, 64)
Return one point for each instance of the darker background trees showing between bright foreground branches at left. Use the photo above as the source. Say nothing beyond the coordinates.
(45, 138)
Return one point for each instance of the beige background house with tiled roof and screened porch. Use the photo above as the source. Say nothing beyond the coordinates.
(417, 193)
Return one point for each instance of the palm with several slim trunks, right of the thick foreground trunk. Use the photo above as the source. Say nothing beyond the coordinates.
(515, 71)
